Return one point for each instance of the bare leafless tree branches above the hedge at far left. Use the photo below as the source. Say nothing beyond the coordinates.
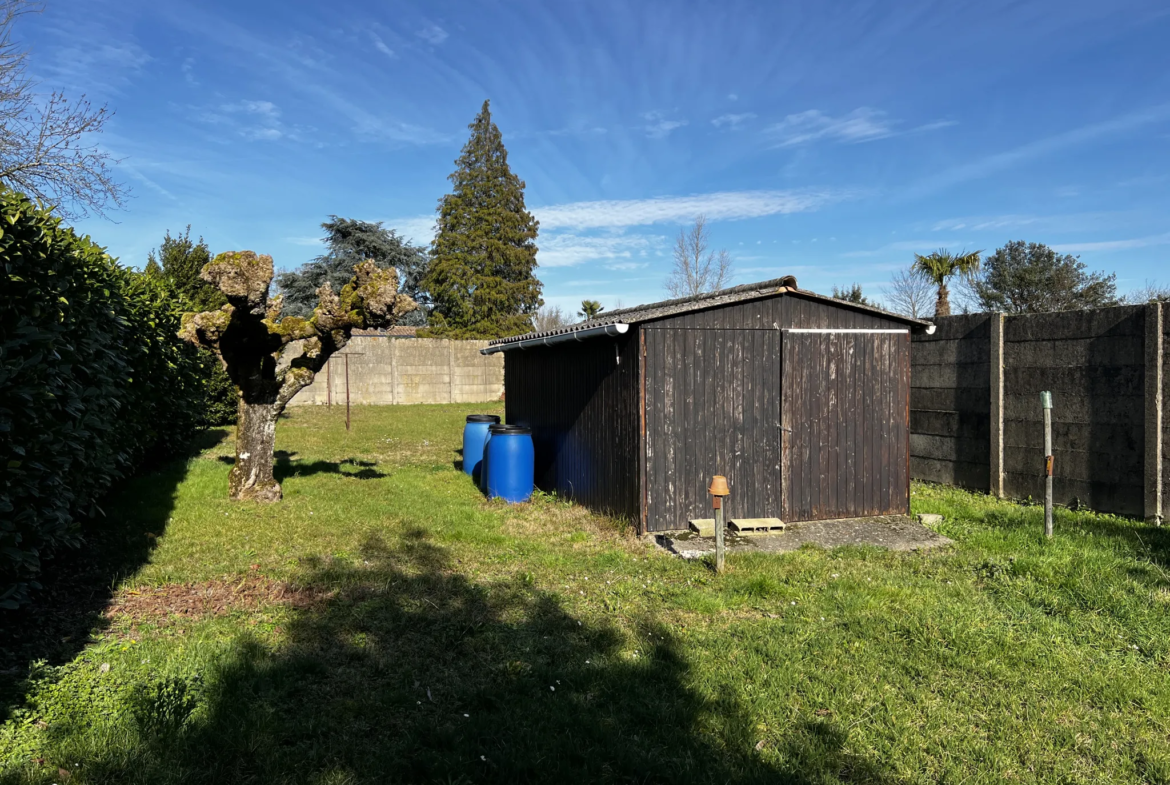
(45, 141)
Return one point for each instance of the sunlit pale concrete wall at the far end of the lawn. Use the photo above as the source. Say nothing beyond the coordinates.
(409, 371)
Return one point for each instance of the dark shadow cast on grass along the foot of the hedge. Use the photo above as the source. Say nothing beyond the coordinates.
(79, 584)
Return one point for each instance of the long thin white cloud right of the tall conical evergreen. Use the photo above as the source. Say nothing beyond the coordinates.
(722, 206)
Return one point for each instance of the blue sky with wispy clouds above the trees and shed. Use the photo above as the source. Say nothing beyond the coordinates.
(830, 141)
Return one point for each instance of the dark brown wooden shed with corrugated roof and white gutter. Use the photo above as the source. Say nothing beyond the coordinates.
(801, 401)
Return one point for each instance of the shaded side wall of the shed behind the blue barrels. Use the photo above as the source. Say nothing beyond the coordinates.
(584, 410)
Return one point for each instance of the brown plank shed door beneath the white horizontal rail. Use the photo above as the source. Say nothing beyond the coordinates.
(846, 424)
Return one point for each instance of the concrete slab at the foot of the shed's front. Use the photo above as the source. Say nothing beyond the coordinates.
(894, 533)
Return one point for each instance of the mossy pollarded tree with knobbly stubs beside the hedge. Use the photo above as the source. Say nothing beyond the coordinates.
(250, 338)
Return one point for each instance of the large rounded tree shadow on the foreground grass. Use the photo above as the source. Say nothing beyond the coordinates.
(400, 669)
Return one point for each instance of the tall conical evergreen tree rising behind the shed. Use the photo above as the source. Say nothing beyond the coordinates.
(481, 279)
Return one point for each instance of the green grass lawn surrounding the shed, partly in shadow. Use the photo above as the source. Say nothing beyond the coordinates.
(386, 624)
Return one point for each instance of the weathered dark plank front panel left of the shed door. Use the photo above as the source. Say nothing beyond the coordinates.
(713, 407)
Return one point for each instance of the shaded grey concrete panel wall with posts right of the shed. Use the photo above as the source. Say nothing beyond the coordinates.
(1109, 435)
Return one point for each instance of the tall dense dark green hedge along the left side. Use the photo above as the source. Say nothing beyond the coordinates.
(93, 380)
